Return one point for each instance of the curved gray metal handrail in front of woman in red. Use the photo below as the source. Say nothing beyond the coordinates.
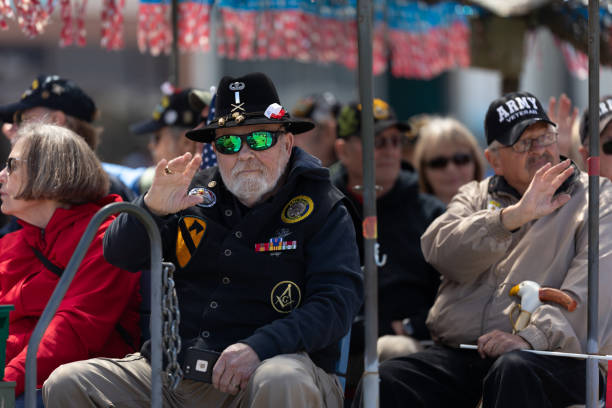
(66, 279)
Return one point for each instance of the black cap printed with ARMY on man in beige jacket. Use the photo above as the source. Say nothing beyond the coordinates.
(509, 116)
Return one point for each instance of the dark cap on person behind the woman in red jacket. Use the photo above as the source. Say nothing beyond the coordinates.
(53, 92)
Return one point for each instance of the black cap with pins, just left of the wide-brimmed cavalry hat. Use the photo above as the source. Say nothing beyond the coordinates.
(174, 109)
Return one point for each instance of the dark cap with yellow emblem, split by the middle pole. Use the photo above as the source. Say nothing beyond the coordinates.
(349, 119)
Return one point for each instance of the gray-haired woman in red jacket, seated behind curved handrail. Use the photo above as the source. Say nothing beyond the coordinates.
(54, 184)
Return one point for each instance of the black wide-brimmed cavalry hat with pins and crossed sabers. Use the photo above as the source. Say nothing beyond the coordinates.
(248, 100)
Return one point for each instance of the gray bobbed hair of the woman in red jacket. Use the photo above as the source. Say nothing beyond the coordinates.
(60, 166)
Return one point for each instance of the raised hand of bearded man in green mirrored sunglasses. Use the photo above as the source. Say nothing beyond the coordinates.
(168, 193)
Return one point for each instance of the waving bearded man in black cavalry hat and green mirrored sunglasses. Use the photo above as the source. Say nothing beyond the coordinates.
(268, 268)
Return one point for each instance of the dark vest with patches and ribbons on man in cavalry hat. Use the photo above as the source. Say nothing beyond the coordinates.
(239, 269)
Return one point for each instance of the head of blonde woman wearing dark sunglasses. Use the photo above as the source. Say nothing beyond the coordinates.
(447, 156)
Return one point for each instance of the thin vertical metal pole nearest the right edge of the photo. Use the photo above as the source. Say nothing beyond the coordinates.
(592, 374)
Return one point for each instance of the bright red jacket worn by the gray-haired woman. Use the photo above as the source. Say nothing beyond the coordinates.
(100, 301)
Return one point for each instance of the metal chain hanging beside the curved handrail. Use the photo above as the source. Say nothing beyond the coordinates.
(171, 317)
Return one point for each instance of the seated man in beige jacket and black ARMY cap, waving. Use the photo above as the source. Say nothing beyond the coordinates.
(528, 222)
